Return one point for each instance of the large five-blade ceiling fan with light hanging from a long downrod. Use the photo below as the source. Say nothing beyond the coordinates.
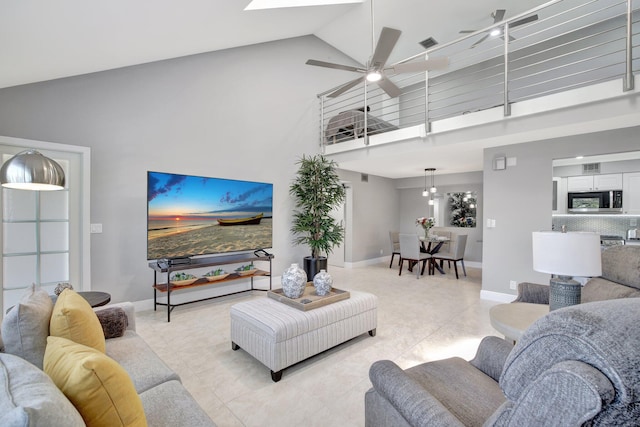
(377, 70)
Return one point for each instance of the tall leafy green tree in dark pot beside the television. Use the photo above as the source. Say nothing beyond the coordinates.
(317, 191)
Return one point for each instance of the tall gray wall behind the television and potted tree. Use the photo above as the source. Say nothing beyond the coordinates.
(245, 113)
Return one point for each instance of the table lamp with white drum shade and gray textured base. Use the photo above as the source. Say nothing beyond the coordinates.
(565, 255)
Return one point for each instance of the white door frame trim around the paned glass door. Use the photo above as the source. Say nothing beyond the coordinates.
(84, 172)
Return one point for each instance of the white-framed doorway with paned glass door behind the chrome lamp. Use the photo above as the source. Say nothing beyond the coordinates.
(44, 234)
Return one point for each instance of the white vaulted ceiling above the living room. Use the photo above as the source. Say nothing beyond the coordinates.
(43, 39)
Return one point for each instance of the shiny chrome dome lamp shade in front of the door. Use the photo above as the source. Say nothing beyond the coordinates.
(30, 170)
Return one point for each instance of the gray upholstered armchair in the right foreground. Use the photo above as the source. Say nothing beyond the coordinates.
(577, 365)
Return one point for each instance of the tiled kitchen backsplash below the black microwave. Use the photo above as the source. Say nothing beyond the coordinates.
(614, 225)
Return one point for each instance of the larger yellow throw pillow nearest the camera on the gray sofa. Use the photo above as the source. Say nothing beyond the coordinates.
(99, 388)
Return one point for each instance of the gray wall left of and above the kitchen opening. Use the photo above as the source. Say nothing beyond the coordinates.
(519, 199)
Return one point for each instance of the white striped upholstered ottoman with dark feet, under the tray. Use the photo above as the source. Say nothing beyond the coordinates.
(280, 336)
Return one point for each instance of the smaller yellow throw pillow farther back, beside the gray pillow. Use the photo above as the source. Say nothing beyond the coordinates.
(74, 319)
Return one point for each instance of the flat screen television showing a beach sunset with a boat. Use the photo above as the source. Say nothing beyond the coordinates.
(196, 215)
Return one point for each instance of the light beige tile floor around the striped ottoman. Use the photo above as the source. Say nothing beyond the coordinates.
(419, 320)
